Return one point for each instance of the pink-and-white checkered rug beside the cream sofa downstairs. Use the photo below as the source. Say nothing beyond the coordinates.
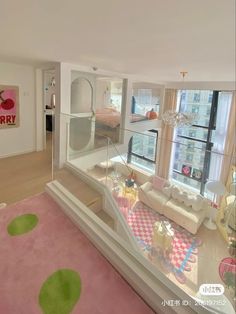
(184, 245)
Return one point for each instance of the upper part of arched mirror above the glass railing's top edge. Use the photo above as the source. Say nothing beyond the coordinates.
(81, 95)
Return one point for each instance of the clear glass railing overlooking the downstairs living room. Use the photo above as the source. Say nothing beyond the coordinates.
(170, 234)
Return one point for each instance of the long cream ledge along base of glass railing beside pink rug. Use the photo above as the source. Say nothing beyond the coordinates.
(151, 284)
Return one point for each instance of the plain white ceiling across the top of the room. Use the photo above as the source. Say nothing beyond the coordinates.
(153, 38)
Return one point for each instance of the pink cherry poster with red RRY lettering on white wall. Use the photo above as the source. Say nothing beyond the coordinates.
(9, 106)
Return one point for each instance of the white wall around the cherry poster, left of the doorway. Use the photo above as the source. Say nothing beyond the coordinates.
(20, 140)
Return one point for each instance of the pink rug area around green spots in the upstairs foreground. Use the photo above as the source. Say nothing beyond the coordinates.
(26, 261)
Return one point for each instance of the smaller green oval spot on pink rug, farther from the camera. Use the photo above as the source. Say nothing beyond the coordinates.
(22, 224)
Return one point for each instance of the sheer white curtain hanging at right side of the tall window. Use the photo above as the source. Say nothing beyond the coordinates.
(220, 156)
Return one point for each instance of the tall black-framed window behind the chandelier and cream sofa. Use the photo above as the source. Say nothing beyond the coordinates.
(196, 143)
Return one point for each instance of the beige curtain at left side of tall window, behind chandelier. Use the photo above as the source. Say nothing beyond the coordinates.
(170, 103)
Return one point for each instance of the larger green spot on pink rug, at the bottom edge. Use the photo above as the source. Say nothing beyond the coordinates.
(60, 292)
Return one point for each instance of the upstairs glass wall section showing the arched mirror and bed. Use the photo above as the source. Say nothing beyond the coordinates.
(95, 110)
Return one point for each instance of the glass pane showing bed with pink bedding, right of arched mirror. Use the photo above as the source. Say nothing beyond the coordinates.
(108, 101)
